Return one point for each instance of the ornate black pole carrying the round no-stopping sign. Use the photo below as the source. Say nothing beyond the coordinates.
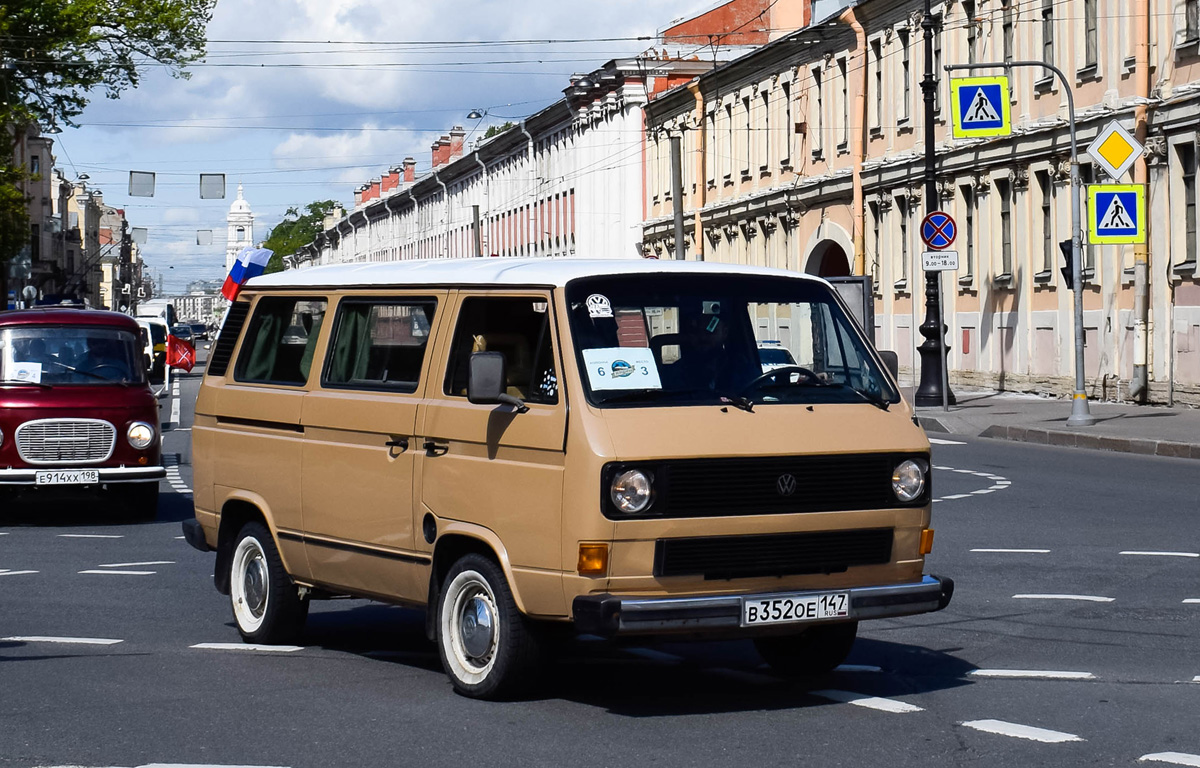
(934, 350)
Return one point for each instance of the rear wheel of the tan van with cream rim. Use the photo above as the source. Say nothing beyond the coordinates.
(267, 605)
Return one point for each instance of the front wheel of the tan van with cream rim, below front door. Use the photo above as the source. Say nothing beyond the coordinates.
(489, 650)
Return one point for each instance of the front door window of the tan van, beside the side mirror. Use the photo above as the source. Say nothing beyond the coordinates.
(519, 328)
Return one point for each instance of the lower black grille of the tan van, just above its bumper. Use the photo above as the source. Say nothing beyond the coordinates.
(773, 555)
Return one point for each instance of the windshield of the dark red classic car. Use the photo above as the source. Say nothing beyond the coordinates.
(53, 356)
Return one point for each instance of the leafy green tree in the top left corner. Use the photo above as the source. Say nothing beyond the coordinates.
(56, 53)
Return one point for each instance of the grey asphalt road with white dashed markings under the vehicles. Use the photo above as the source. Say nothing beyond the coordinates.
(1071, 643)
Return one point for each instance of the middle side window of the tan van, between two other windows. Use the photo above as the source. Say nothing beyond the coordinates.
(380, 345)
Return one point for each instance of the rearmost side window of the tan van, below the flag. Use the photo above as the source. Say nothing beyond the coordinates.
(281, 340)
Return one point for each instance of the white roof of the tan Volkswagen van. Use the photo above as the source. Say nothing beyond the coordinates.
(493, 272)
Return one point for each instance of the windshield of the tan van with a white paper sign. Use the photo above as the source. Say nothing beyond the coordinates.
(686, 340)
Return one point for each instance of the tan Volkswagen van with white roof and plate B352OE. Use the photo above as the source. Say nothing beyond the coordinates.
(593, 445)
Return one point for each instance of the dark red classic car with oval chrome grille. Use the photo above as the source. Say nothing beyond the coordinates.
(77, 417)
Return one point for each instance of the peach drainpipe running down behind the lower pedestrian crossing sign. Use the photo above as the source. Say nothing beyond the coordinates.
(1139, 387)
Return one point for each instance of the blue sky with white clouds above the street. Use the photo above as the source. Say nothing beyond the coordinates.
(295, 123)
